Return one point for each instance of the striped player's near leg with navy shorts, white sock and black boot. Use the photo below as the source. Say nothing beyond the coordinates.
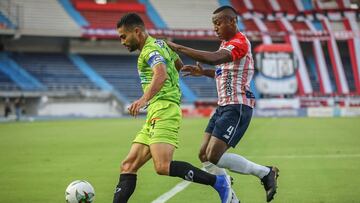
(229, 129)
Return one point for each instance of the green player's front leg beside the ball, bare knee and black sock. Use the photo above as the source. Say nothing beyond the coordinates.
(139, 154)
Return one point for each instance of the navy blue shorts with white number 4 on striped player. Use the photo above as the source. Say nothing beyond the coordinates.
(230, 122)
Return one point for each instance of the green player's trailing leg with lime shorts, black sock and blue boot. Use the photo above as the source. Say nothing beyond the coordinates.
(166, 118)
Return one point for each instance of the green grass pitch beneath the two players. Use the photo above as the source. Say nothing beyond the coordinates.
(318, 158)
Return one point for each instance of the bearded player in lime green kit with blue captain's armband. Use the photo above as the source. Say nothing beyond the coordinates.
(158, 68)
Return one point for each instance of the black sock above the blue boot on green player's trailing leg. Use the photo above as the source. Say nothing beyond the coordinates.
(189, 172)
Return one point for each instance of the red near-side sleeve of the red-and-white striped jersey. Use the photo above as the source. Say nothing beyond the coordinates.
(238, 48)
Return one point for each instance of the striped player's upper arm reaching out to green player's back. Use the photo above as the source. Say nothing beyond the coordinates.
(212, 58)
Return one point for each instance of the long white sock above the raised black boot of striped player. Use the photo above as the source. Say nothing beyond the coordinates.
(239, 164)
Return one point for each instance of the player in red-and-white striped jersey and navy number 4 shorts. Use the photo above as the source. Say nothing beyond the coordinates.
(233, 73)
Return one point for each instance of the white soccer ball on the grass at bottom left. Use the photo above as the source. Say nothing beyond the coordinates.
(80, 191)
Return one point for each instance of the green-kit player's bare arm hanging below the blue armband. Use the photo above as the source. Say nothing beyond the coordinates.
(157, 82)
